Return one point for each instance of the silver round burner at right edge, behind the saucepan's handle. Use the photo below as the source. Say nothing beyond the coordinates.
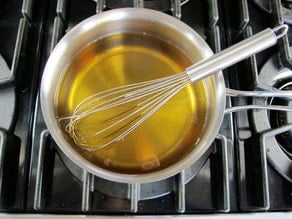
(278, 141)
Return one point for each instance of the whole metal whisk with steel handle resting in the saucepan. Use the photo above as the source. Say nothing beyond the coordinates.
(118, 111)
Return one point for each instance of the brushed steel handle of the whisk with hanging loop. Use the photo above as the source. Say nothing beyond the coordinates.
(236, 53)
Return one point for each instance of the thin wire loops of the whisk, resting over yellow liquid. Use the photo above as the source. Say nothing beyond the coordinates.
(114, 113)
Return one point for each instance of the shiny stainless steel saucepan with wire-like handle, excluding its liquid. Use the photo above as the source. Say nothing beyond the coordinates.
(132, 20)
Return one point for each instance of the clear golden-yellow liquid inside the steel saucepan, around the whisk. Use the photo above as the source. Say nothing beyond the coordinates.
(127, 58)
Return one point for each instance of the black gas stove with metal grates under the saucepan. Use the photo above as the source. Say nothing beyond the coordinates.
(247, 169)
